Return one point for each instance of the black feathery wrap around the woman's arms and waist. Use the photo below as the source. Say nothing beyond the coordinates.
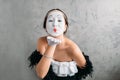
(35, 57)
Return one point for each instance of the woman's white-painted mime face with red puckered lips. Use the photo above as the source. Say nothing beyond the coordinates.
(55, 24)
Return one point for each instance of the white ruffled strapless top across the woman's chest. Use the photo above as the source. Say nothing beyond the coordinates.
(63, 69)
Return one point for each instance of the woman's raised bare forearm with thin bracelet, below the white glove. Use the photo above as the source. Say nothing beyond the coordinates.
(43, 66)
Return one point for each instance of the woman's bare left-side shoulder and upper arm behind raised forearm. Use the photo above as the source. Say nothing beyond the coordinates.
(41, 44)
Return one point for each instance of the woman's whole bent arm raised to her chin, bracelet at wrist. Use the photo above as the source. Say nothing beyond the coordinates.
(44, 64)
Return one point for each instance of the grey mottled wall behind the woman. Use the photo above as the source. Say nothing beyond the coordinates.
(94, 26)
